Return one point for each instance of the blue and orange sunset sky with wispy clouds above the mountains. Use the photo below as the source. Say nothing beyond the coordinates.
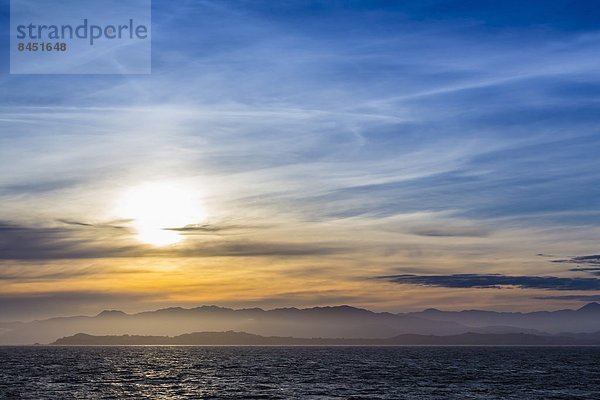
(392, 155)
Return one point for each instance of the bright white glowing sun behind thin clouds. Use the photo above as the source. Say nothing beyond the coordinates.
(158, 209)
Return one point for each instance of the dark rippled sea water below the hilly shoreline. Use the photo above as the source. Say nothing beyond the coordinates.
(300, 372)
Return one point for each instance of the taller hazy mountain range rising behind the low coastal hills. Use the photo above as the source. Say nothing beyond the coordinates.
(324, 322)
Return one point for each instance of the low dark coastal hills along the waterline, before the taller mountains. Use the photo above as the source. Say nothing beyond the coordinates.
(242, 338)
